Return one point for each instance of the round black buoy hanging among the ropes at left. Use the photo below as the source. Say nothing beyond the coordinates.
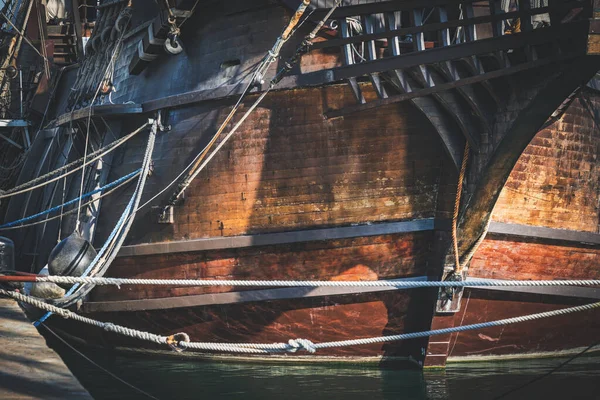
(71, 256)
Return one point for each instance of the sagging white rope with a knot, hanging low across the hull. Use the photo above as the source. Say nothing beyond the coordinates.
(181, 341)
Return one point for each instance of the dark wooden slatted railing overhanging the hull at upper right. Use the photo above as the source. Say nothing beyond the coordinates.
(392, 37)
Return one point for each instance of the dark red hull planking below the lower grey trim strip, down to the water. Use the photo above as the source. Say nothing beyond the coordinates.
(319, 319)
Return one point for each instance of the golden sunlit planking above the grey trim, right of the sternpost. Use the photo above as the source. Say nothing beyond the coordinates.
(556, 182)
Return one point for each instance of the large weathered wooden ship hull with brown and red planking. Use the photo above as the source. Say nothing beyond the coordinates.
(348, 170)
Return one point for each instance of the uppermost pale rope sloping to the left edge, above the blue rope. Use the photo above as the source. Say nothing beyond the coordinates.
(26, 187)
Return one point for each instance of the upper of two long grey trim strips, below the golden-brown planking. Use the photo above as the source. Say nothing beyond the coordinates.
(268, 239)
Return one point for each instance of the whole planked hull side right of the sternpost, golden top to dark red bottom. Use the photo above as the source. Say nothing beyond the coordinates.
(555, 184)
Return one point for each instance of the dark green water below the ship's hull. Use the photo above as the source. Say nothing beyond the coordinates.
(169, 378)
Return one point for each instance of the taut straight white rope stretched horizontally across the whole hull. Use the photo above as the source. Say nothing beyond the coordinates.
(101, 281)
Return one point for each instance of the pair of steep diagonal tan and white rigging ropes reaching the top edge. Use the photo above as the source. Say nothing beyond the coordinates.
(199, 162)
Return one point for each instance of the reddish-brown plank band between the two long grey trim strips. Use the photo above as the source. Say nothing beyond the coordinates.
(367, 258)
